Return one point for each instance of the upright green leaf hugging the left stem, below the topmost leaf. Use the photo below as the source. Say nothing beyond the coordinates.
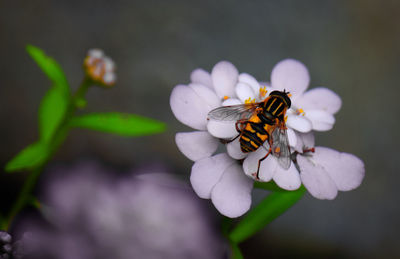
(52, 111)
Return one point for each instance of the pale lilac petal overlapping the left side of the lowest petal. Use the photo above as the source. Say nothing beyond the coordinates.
(207, 172)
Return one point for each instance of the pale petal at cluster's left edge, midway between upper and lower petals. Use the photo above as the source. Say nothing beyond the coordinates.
(196, 145)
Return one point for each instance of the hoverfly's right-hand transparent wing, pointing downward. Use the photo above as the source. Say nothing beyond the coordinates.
(280, 146)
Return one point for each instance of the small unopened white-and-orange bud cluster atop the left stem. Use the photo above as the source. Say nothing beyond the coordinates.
(99, 68)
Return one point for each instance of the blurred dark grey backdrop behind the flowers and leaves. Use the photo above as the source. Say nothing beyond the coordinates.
(351, 47)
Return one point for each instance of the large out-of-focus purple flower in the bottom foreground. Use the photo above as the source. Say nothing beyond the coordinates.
(96, 215)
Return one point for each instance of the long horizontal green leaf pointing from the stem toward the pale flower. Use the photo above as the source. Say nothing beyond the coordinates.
(118, 123)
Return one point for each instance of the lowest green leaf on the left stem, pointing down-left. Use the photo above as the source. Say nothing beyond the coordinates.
(32, 156)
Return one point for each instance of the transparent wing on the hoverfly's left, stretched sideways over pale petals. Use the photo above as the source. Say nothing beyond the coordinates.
(233, 112)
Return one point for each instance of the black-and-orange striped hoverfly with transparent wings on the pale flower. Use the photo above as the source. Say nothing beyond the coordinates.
(260, 124)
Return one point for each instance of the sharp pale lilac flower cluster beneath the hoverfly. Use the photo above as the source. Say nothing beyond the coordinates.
(227, 178)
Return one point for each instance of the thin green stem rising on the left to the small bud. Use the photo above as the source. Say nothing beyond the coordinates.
(57, 141)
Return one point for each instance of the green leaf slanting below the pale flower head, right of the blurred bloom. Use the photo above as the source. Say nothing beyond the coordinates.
(266, 211)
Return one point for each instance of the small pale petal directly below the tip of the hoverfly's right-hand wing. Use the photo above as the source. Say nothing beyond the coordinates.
(287, 179)
